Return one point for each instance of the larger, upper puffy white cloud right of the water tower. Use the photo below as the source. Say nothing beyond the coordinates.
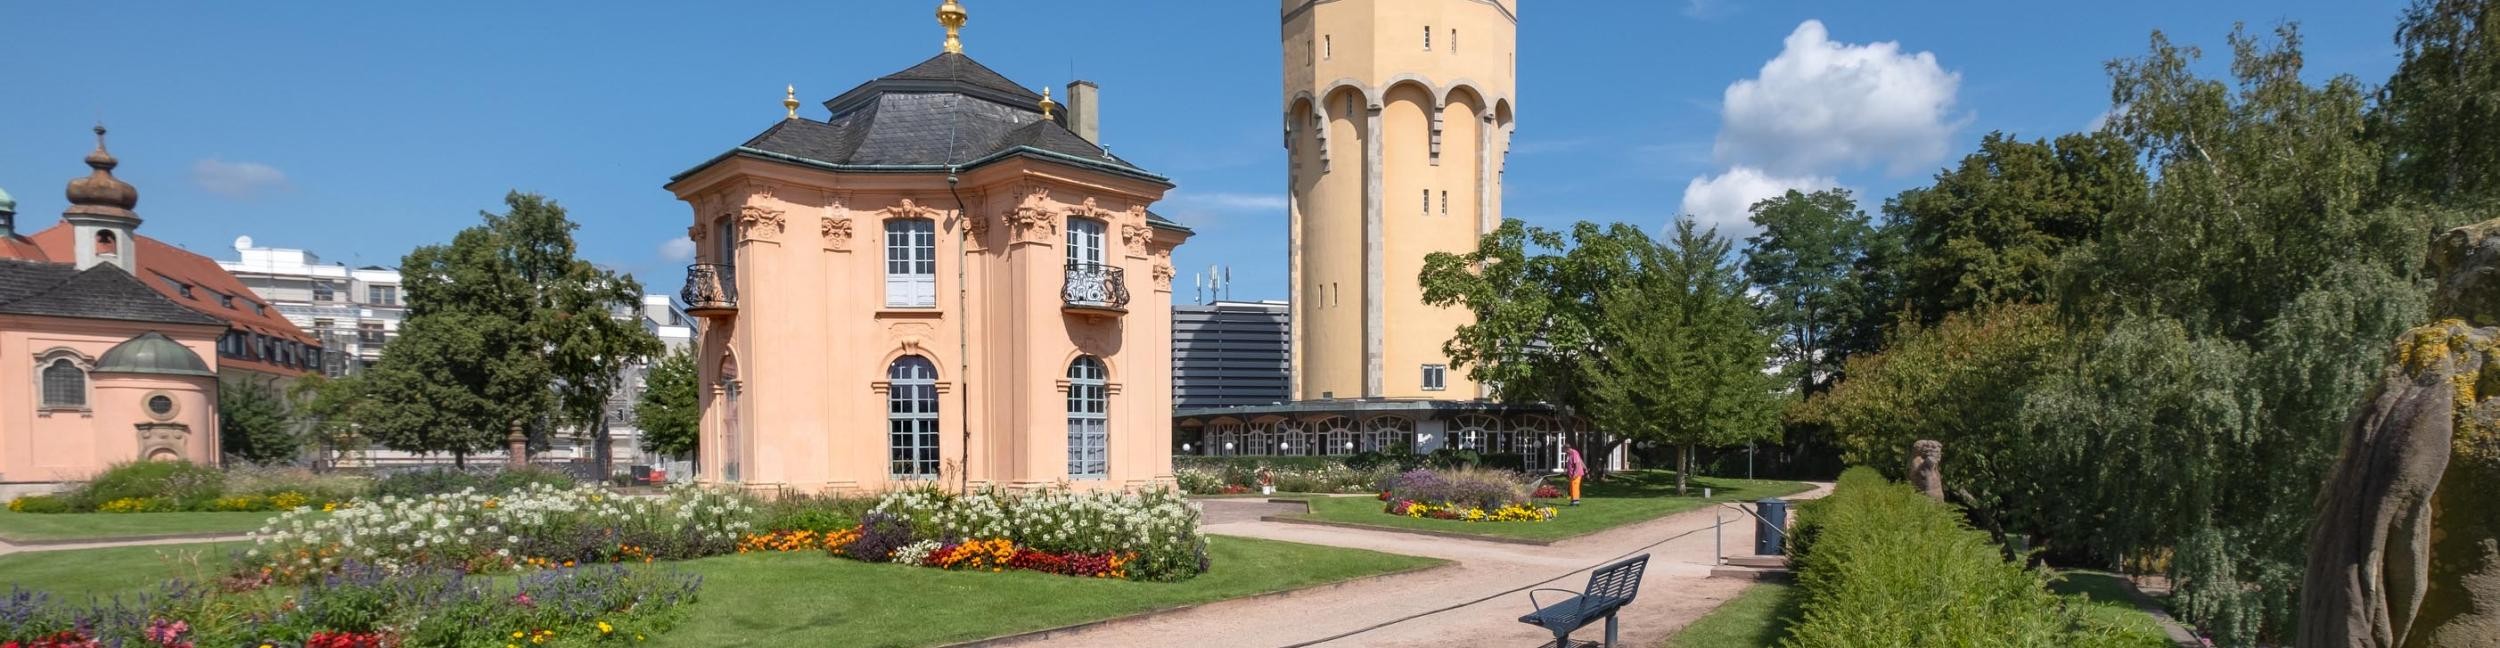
(1834, 104)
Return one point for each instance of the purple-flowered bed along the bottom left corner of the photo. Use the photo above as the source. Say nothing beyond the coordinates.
(361, 607)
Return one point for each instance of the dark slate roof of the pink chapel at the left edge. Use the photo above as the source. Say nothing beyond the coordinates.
(99, 294)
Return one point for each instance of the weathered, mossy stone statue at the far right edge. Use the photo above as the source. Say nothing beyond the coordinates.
(2406, 549)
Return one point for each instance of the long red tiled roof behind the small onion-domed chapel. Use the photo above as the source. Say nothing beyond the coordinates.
(161, 261)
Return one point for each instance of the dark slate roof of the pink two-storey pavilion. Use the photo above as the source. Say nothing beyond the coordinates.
(931, 116)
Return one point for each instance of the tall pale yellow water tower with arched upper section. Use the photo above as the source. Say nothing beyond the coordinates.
(1396, 124)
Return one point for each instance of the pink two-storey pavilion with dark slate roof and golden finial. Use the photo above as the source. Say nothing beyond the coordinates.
(946, 279)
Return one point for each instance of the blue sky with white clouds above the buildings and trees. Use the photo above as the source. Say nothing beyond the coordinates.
(366, 129)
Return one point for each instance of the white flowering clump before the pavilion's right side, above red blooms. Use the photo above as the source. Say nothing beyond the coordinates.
(1156, 527)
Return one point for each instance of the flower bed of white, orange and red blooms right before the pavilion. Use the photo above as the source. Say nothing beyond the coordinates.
(1139, 537)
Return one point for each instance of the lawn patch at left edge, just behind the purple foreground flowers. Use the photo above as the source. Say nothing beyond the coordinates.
(106, 572)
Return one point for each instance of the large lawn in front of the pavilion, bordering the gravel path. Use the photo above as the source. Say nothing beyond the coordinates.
(809, 599)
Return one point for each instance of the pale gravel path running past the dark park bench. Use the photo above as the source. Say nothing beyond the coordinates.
(1409, 609)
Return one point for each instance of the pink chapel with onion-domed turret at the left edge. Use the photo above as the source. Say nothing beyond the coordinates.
(96, 364)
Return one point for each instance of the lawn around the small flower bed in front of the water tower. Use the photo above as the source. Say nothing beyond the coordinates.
(1624, 499)
